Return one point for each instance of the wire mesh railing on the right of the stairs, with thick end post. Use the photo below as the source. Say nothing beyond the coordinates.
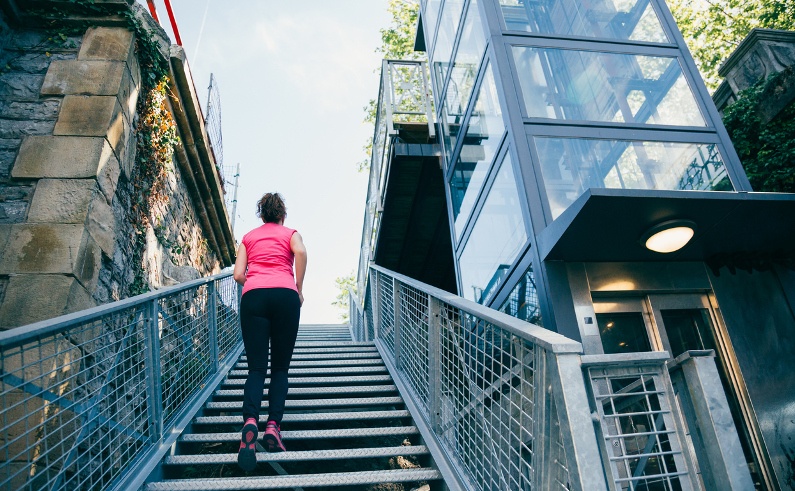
(487, 388)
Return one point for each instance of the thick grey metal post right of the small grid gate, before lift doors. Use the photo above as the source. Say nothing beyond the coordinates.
(712, 428)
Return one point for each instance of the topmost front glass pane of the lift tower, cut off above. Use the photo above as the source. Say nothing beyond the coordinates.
(633, 20)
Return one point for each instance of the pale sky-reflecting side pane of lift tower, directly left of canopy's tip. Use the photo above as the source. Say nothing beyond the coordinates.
(496, 239)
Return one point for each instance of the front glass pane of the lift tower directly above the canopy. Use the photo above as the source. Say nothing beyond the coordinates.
(570, 166)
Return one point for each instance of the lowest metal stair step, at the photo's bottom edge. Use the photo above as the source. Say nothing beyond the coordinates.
(283, 482)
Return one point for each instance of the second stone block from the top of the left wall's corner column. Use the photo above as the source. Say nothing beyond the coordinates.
(87, 77)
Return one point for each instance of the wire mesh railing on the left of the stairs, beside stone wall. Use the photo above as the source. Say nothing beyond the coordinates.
(86, 397)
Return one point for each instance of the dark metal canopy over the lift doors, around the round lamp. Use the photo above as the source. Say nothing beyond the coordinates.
(605, 225)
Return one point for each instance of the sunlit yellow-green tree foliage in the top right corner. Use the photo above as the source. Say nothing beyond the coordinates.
(714, 28)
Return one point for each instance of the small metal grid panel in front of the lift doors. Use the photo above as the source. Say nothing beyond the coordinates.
(641, 442)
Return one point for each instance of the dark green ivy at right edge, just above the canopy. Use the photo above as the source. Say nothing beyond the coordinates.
(766, 150)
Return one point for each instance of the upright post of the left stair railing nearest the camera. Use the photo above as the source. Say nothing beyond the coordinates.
(153, 374)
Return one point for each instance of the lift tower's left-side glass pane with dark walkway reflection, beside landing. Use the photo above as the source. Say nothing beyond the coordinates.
(482, 139)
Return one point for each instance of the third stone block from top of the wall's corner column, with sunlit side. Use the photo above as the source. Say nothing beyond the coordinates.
(93, 116)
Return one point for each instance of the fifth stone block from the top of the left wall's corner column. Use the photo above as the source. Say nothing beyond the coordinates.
(62, 200)
